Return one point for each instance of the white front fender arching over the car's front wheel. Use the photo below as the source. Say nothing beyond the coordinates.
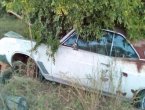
(11, 46)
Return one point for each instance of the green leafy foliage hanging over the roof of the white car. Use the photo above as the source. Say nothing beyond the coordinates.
(52, 19)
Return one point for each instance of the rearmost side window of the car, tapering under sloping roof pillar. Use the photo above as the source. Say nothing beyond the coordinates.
(121, 48)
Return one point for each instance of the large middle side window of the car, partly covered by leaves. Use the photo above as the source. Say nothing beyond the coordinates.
(101, 45)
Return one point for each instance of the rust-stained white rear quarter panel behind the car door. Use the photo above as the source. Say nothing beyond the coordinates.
(132, 75)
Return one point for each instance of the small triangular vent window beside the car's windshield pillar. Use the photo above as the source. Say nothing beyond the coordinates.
(71, 40)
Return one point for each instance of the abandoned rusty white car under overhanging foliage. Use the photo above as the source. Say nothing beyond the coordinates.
(110, 64)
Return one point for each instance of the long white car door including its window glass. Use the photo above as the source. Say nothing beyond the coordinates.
(88, 63)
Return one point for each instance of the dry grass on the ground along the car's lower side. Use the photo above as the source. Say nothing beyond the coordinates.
(49, 96)
